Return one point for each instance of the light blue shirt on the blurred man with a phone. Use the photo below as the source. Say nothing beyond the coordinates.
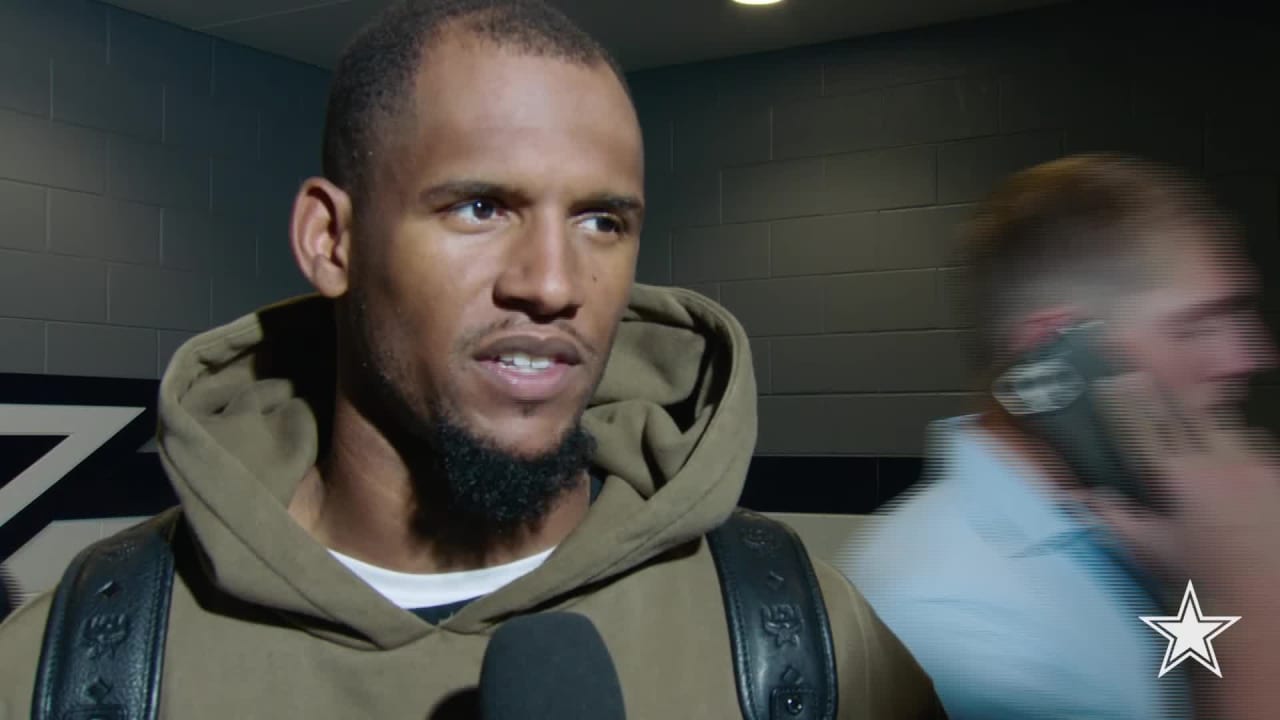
(1008, 596)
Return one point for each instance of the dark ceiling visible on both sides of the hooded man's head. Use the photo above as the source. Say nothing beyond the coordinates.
(643, 34)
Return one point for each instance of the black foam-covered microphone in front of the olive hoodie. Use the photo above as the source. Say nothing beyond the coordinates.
(546, 667)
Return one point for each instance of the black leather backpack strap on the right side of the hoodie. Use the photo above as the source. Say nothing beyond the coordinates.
(778, 621)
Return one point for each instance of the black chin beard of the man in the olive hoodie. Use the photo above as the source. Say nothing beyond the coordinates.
(497, 490)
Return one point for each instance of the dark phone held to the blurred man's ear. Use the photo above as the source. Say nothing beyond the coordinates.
(1049, 394)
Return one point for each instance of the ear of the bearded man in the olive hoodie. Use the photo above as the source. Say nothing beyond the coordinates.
(321, 235)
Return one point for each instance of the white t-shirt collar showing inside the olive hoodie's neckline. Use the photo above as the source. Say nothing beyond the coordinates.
(413, 591)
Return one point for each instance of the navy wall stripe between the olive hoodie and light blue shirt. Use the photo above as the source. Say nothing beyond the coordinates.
(826, 484)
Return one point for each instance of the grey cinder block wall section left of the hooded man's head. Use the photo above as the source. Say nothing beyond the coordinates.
(147, 175)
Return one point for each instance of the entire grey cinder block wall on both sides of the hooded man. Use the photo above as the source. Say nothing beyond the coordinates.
(147, 175)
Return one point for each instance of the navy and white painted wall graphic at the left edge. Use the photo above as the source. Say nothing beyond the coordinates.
(72, 468)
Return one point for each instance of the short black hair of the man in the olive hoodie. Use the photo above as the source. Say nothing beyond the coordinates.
(374, 79)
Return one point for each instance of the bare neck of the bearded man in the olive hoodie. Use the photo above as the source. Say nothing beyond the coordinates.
(360, 500)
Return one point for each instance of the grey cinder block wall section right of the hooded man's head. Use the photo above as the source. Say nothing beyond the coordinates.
(816, 193)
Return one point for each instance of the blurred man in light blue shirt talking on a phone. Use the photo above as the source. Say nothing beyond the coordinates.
(1017, 585)
